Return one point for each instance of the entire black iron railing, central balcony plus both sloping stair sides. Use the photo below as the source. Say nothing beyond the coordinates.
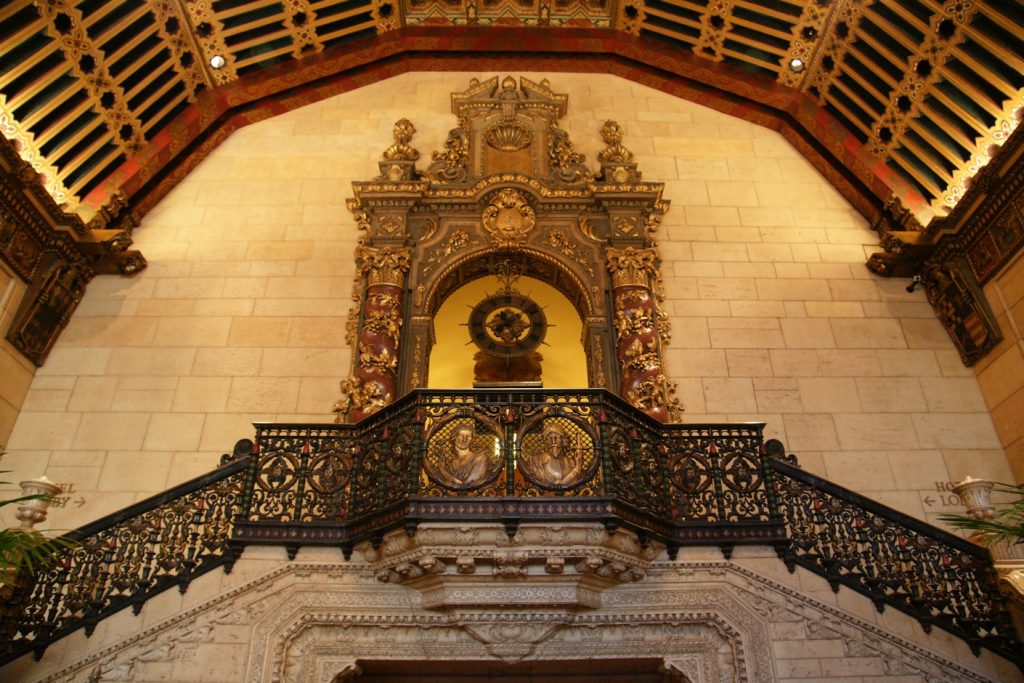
(510, 457)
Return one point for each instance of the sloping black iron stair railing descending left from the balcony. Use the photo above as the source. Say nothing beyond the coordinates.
(126, 559)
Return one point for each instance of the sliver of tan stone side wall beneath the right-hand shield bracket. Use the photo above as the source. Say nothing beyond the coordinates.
(1001, 374)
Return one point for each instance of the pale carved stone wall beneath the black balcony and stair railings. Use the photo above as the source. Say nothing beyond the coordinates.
(310, 620)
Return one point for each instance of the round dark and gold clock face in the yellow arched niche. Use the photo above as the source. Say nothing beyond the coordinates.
(507, 325)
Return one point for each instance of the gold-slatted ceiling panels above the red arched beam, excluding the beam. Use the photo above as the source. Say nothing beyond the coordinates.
(927, 87)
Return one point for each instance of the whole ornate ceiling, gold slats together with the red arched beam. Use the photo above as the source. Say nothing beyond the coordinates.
(112, 99)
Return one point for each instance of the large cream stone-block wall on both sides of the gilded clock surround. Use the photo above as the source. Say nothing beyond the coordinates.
(240, 316)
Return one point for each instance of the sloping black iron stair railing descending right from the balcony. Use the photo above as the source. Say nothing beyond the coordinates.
(937, 578)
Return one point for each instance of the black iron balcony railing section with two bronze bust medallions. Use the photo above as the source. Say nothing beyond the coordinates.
(508, 456)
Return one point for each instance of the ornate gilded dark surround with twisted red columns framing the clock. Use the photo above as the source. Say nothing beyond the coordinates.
(508, 188)
